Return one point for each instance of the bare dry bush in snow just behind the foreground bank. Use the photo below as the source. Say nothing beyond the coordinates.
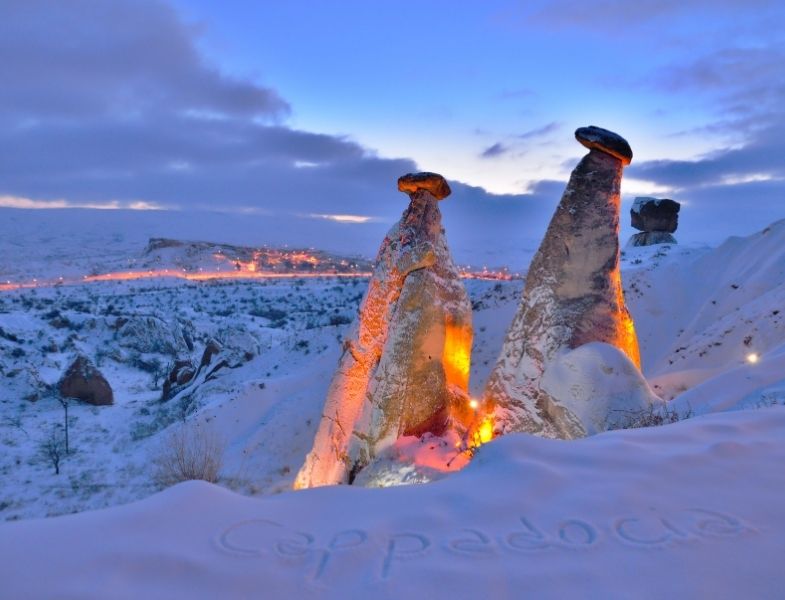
(188, 453)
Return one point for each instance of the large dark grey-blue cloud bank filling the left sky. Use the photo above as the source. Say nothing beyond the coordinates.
(110, 104)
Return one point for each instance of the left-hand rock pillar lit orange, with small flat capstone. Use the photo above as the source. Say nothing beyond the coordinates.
(405, 366)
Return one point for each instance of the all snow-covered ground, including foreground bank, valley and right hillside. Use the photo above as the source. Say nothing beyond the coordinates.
(685, 510)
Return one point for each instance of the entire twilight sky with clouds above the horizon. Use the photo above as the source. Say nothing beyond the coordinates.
(302, 112)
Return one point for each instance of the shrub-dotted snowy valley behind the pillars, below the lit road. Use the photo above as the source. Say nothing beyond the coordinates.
(265, 410)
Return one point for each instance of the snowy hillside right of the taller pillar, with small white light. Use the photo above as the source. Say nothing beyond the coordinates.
(702, 313)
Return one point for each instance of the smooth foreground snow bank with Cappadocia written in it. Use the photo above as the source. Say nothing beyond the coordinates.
(690, 510)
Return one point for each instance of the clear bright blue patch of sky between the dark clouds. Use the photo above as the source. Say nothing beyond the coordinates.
(444, 81)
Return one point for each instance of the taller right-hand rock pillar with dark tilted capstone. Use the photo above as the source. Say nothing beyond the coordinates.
(573, 295)
